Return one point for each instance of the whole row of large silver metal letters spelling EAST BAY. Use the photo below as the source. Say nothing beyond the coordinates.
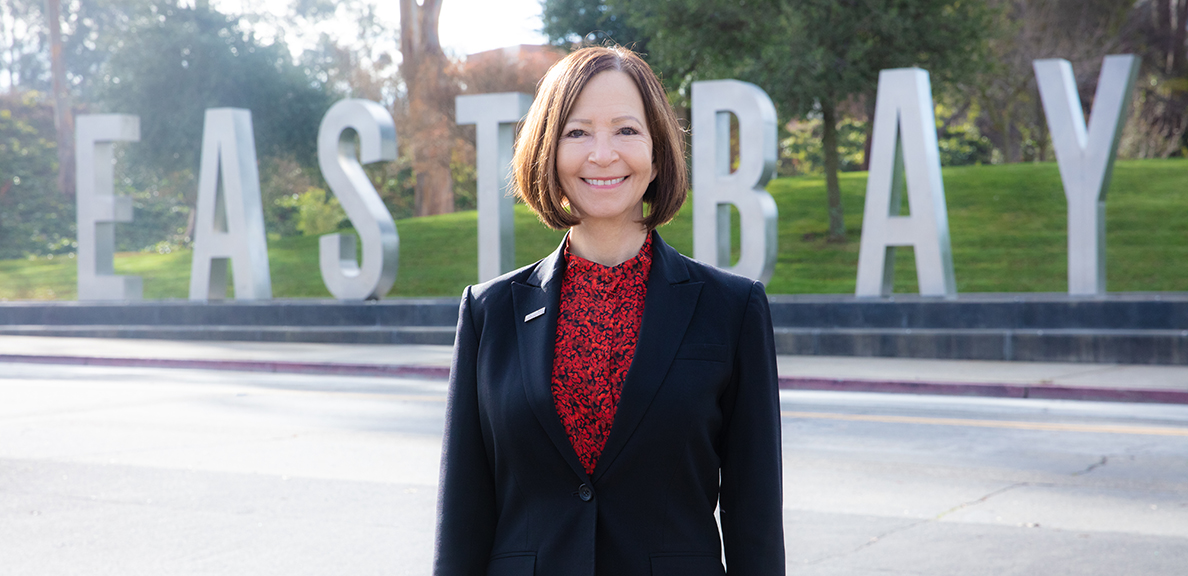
(905, 159)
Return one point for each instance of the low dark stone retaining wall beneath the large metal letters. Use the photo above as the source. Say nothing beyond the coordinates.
(1126, 328)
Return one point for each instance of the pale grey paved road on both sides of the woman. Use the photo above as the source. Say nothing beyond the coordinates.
(132, 471)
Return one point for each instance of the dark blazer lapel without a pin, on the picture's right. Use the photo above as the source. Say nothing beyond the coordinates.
(668, 309)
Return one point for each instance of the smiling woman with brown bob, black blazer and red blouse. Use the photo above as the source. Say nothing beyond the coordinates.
(608, 398)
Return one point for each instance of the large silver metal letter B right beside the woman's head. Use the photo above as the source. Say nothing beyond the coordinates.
(716, 187)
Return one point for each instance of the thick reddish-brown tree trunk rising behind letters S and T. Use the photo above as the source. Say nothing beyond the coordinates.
(425, 77)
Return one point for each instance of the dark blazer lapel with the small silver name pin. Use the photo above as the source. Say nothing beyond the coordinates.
(536, 336)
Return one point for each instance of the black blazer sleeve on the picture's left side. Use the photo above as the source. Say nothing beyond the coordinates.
(466, 498)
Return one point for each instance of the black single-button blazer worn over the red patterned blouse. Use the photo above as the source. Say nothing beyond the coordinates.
(698, 426)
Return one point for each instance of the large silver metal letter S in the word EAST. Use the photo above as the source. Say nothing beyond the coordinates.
(344, 277)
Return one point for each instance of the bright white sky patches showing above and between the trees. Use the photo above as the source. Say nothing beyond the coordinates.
(466, 27)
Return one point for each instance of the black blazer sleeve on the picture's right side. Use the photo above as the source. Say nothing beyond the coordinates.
(751, 495)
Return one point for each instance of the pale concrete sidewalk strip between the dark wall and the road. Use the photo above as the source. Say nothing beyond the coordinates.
(1073, 382)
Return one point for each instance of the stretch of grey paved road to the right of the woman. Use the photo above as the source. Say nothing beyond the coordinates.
(880, 484)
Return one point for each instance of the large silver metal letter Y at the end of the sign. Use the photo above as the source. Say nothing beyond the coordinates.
(1086, 157)
